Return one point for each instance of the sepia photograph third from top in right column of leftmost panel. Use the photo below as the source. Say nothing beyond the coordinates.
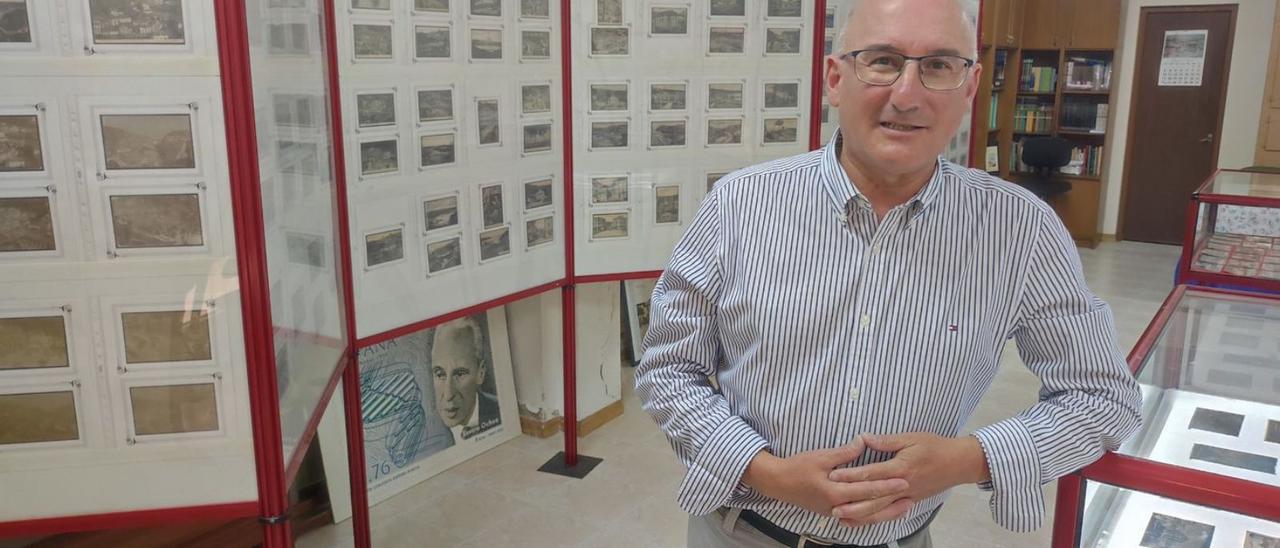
(149, 222)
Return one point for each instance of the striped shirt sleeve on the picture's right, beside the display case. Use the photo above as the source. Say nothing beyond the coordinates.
(1090, 403)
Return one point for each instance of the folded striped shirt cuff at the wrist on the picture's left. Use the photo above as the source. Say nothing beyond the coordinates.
(716, 474)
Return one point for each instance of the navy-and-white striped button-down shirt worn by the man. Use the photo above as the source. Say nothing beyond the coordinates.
(820, 322)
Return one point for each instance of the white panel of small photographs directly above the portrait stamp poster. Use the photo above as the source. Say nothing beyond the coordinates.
(442, 138)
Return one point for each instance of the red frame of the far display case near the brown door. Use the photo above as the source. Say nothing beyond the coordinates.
(1205, 198)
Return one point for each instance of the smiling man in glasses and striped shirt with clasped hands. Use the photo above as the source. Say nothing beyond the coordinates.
(852, 305)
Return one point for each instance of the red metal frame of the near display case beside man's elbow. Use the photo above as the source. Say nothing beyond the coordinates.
(1163, 479)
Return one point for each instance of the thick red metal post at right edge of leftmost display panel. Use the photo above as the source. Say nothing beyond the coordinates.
(252, 263)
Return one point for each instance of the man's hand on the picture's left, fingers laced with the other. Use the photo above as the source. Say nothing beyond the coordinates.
(803, 479)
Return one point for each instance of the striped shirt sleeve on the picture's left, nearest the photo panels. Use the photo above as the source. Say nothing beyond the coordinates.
(682, 353)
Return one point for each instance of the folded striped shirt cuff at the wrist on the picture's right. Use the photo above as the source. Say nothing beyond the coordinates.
(1017, 500)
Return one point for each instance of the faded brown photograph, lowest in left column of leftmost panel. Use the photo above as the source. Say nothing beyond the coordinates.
(39, 418)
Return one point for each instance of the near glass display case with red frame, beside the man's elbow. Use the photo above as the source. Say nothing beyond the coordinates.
(1203, 471)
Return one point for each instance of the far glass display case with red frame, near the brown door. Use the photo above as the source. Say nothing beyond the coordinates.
(1233, 232)
